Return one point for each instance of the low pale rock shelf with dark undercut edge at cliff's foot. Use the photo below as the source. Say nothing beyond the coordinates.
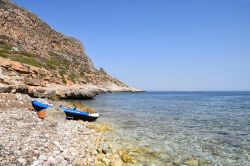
(87, 91)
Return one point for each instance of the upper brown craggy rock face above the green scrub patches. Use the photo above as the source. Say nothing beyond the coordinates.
(24, 30)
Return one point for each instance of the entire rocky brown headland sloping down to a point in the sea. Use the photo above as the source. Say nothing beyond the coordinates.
(36, 59)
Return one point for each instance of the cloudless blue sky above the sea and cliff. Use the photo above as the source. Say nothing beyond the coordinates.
(159, 44)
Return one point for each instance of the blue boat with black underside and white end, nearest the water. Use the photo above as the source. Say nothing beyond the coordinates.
(76, 114)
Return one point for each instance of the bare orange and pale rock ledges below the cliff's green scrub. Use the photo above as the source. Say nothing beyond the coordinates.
(16, 77)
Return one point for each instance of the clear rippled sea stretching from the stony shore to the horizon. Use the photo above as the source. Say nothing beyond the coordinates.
(213, 127)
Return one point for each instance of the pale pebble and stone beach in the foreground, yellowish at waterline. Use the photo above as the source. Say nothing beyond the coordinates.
(27, 140)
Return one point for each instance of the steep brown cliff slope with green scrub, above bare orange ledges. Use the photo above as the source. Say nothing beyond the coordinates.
(27, 39)
